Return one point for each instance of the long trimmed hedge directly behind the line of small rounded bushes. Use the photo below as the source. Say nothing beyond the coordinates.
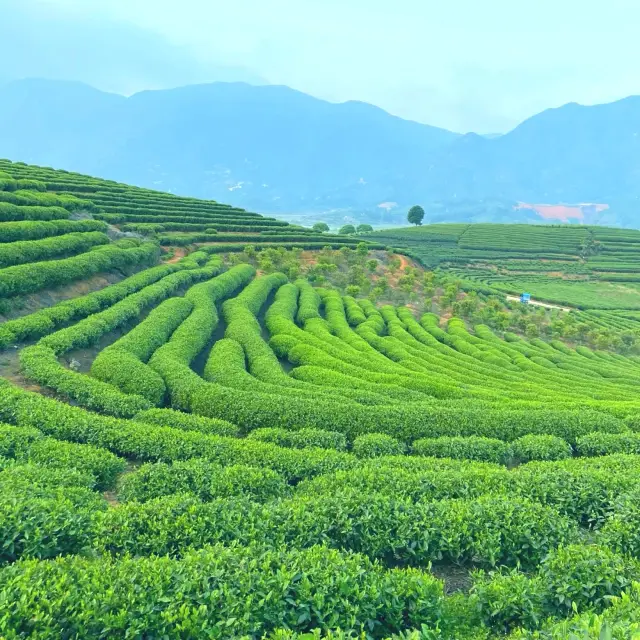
(406, 423)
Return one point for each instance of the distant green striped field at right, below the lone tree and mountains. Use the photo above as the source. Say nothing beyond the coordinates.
(580, 266)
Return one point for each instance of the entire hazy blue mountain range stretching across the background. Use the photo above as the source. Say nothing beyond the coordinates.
(276, 150)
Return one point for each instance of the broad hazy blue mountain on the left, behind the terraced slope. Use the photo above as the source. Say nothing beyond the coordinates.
(266, 147)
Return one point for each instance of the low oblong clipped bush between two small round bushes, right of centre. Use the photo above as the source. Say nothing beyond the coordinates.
(470, 448)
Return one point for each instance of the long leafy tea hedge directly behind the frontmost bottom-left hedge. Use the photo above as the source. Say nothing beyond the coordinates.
(487, 531)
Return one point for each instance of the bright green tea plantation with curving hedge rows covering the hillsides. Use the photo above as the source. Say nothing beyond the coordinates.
(194, 447)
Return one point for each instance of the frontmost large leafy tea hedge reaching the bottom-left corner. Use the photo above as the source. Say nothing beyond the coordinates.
(218, 592)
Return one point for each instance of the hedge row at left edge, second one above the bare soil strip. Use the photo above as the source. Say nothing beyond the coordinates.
(70, 244)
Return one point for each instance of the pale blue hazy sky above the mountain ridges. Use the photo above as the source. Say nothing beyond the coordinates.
(466, 65)
